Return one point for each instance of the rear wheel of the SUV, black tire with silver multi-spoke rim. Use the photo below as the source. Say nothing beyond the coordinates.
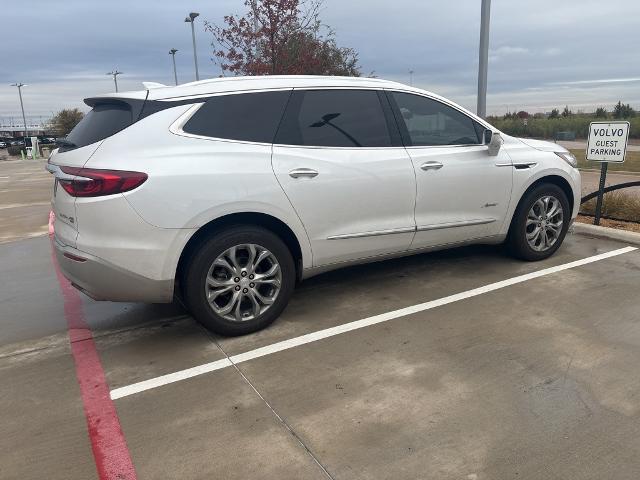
(218, 264)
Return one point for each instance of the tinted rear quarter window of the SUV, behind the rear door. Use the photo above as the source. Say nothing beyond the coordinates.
(249, 117)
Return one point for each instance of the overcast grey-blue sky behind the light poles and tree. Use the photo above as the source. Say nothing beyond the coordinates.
(543, 53)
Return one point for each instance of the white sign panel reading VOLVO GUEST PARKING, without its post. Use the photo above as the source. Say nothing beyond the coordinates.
(607, 141)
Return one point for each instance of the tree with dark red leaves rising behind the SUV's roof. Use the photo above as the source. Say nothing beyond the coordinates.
(280, 37)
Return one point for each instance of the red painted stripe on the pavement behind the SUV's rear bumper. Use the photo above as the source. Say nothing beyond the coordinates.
(109, 446)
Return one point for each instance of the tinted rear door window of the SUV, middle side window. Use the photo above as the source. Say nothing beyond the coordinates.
(334, 118)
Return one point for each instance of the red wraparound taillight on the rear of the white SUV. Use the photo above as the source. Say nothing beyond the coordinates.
(92, 182)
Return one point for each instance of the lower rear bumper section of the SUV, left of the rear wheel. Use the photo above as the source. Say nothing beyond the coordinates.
(102, 280)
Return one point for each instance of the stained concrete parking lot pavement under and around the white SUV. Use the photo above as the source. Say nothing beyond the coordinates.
(498, 369)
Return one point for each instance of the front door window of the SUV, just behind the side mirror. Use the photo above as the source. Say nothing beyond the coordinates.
(430, 123)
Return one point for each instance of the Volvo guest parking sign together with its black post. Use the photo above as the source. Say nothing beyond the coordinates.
(607, 144)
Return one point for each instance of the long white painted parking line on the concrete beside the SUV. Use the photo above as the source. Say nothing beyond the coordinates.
(348, 327)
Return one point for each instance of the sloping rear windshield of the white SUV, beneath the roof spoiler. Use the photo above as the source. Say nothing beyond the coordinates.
(104, 120)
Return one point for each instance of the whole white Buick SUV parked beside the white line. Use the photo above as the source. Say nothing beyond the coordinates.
(229, 191)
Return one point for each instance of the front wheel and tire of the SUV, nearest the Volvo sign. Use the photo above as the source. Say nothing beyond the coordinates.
(535, 219)
